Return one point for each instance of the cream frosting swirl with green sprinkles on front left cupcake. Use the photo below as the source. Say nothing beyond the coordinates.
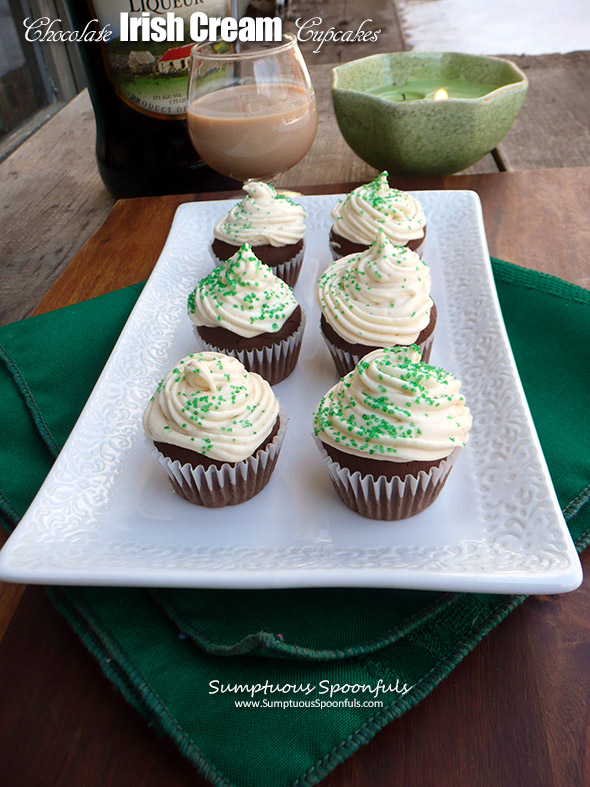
(210, 404)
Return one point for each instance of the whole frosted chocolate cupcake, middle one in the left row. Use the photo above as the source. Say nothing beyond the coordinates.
(241, 308)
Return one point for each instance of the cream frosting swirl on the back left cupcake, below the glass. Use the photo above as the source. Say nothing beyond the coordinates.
(262, 218)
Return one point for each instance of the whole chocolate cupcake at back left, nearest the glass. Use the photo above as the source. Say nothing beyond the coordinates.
(271, 223)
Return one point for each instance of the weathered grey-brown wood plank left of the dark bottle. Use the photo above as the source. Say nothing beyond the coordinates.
(51, 201)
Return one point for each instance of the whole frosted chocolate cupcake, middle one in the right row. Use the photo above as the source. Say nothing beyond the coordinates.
(376, 298)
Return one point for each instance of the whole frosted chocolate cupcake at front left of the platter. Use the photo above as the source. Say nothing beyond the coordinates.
(217, 429)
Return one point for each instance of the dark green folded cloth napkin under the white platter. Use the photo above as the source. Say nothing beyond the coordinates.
(167, 650)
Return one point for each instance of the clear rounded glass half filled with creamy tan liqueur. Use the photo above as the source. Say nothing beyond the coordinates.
(251, 107)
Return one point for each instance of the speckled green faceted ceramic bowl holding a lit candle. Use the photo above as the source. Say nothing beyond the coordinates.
(425, 137)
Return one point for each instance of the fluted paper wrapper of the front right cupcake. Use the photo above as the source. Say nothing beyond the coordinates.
(388, 499)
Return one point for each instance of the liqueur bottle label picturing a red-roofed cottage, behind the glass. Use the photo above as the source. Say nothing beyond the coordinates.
(151, 77)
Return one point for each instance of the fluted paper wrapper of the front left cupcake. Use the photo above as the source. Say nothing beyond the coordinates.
(230, 484)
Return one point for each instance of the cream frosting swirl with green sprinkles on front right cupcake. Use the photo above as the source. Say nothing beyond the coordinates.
(394, 408)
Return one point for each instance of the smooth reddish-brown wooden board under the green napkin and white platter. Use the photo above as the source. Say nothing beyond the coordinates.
(513, 712)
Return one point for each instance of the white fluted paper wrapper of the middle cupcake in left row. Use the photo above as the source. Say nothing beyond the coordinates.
(274, 362)
